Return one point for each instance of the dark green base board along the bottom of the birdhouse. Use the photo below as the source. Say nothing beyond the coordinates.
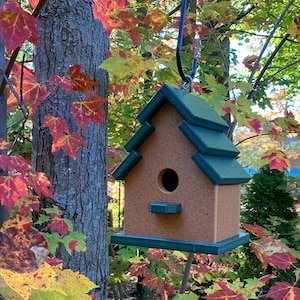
(188, 246)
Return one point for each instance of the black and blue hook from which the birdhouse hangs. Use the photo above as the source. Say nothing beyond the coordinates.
(186, 80)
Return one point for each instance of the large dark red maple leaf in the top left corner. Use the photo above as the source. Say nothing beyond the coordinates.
(17, 25)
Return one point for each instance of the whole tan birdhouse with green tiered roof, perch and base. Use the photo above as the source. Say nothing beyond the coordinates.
(182, 179)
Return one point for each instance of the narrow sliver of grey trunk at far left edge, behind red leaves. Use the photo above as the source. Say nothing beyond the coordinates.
(3, 116)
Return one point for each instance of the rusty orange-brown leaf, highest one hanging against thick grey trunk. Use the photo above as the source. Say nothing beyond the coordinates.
(81, 81)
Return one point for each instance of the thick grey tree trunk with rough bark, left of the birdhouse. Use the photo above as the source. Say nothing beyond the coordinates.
(68, 34)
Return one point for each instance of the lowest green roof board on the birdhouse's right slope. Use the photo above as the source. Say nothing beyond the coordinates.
(221, 170)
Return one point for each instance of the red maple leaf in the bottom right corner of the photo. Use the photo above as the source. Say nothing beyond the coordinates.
(283, 291)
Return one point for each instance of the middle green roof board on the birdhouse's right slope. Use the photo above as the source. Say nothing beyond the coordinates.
(209, 141)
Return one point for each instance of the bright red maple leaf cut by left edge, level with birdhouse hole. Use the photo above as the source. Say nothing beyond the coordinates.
(12, 189)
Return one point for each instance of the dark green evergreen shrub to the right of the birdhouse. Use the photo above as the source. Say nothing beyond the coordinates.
(268, 202)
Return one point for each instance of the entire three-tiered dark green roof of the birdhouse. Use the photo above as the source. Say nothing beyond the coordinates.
(204, 128)
